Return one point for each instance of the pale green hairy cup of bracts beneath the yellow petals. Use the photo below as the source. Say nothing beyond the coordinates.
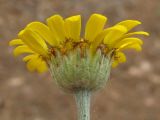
(74, 72)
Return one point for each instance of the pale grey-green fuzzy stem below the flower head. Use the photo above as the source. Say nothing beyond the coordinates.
(83, 104)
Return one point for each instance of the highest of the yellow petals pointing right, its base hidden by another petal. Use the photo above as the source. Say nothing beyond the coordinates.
(129, 24)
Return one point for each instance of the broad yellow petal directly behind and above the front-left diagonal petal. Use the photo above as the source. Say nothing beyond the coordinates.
(44, 32)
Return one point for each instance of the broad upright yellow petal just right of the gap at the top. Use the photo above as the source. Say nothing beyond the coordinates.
(94, 26)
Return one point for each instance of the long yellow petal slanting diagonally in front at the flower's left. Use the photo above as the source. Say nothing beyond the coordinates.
(34, 41)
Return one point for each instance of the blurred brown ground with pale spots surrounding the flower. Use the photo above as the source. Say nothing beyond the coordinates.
(133, 91)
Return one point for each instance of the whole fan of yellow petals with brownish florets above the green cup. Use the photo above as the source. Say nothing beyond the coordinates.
(39, 42)
